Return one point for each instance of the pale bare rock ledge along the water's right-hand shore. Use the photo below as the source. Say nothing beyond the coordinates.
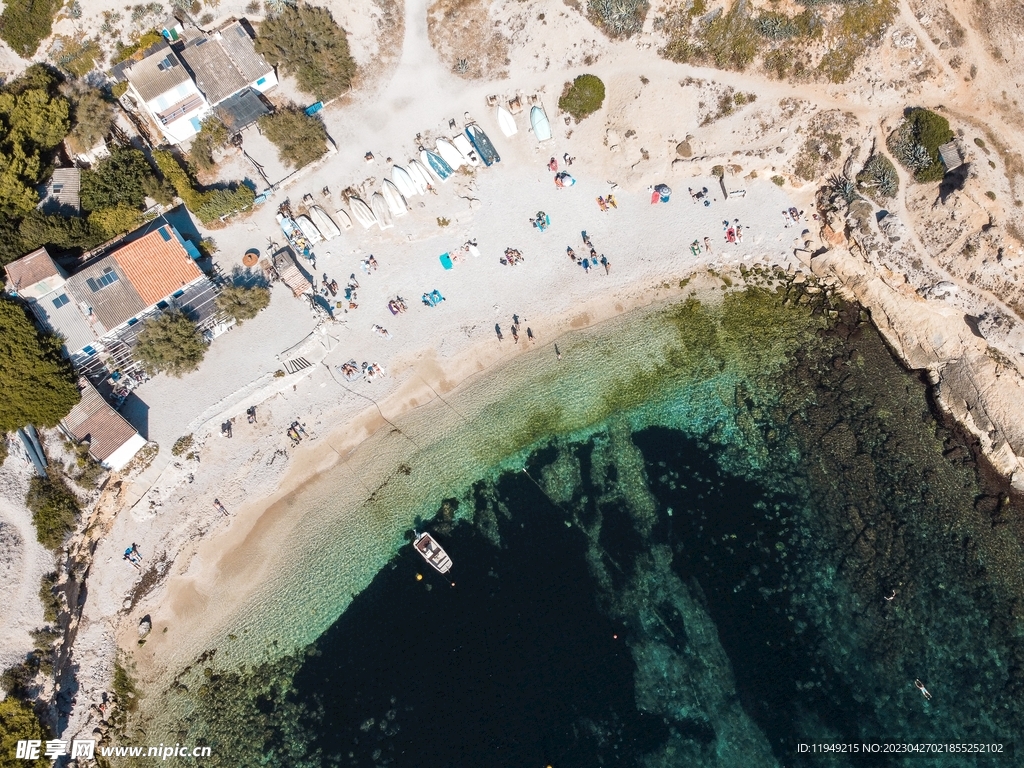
(974, 381)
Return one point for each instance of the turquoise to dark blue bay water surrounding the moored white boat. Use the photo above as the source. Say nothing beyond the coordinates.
(718, 502)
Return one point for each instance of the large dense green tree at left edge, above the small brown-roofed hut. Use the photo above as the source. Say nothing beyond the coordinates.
(38, 385)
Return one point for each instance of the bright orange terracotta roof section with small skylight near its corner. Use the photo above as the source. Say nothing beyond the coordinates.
(157, 265)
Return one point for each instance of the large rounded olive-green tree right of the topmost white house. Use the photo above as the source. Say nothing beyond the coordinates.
(305, 41)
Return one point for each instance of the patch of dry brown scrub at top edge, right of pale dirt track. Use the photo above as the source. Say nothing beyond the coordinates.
(467, 39)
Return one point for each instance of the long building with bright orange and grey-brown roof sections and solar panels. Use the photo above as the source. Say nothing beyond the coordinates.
(103, 302)
